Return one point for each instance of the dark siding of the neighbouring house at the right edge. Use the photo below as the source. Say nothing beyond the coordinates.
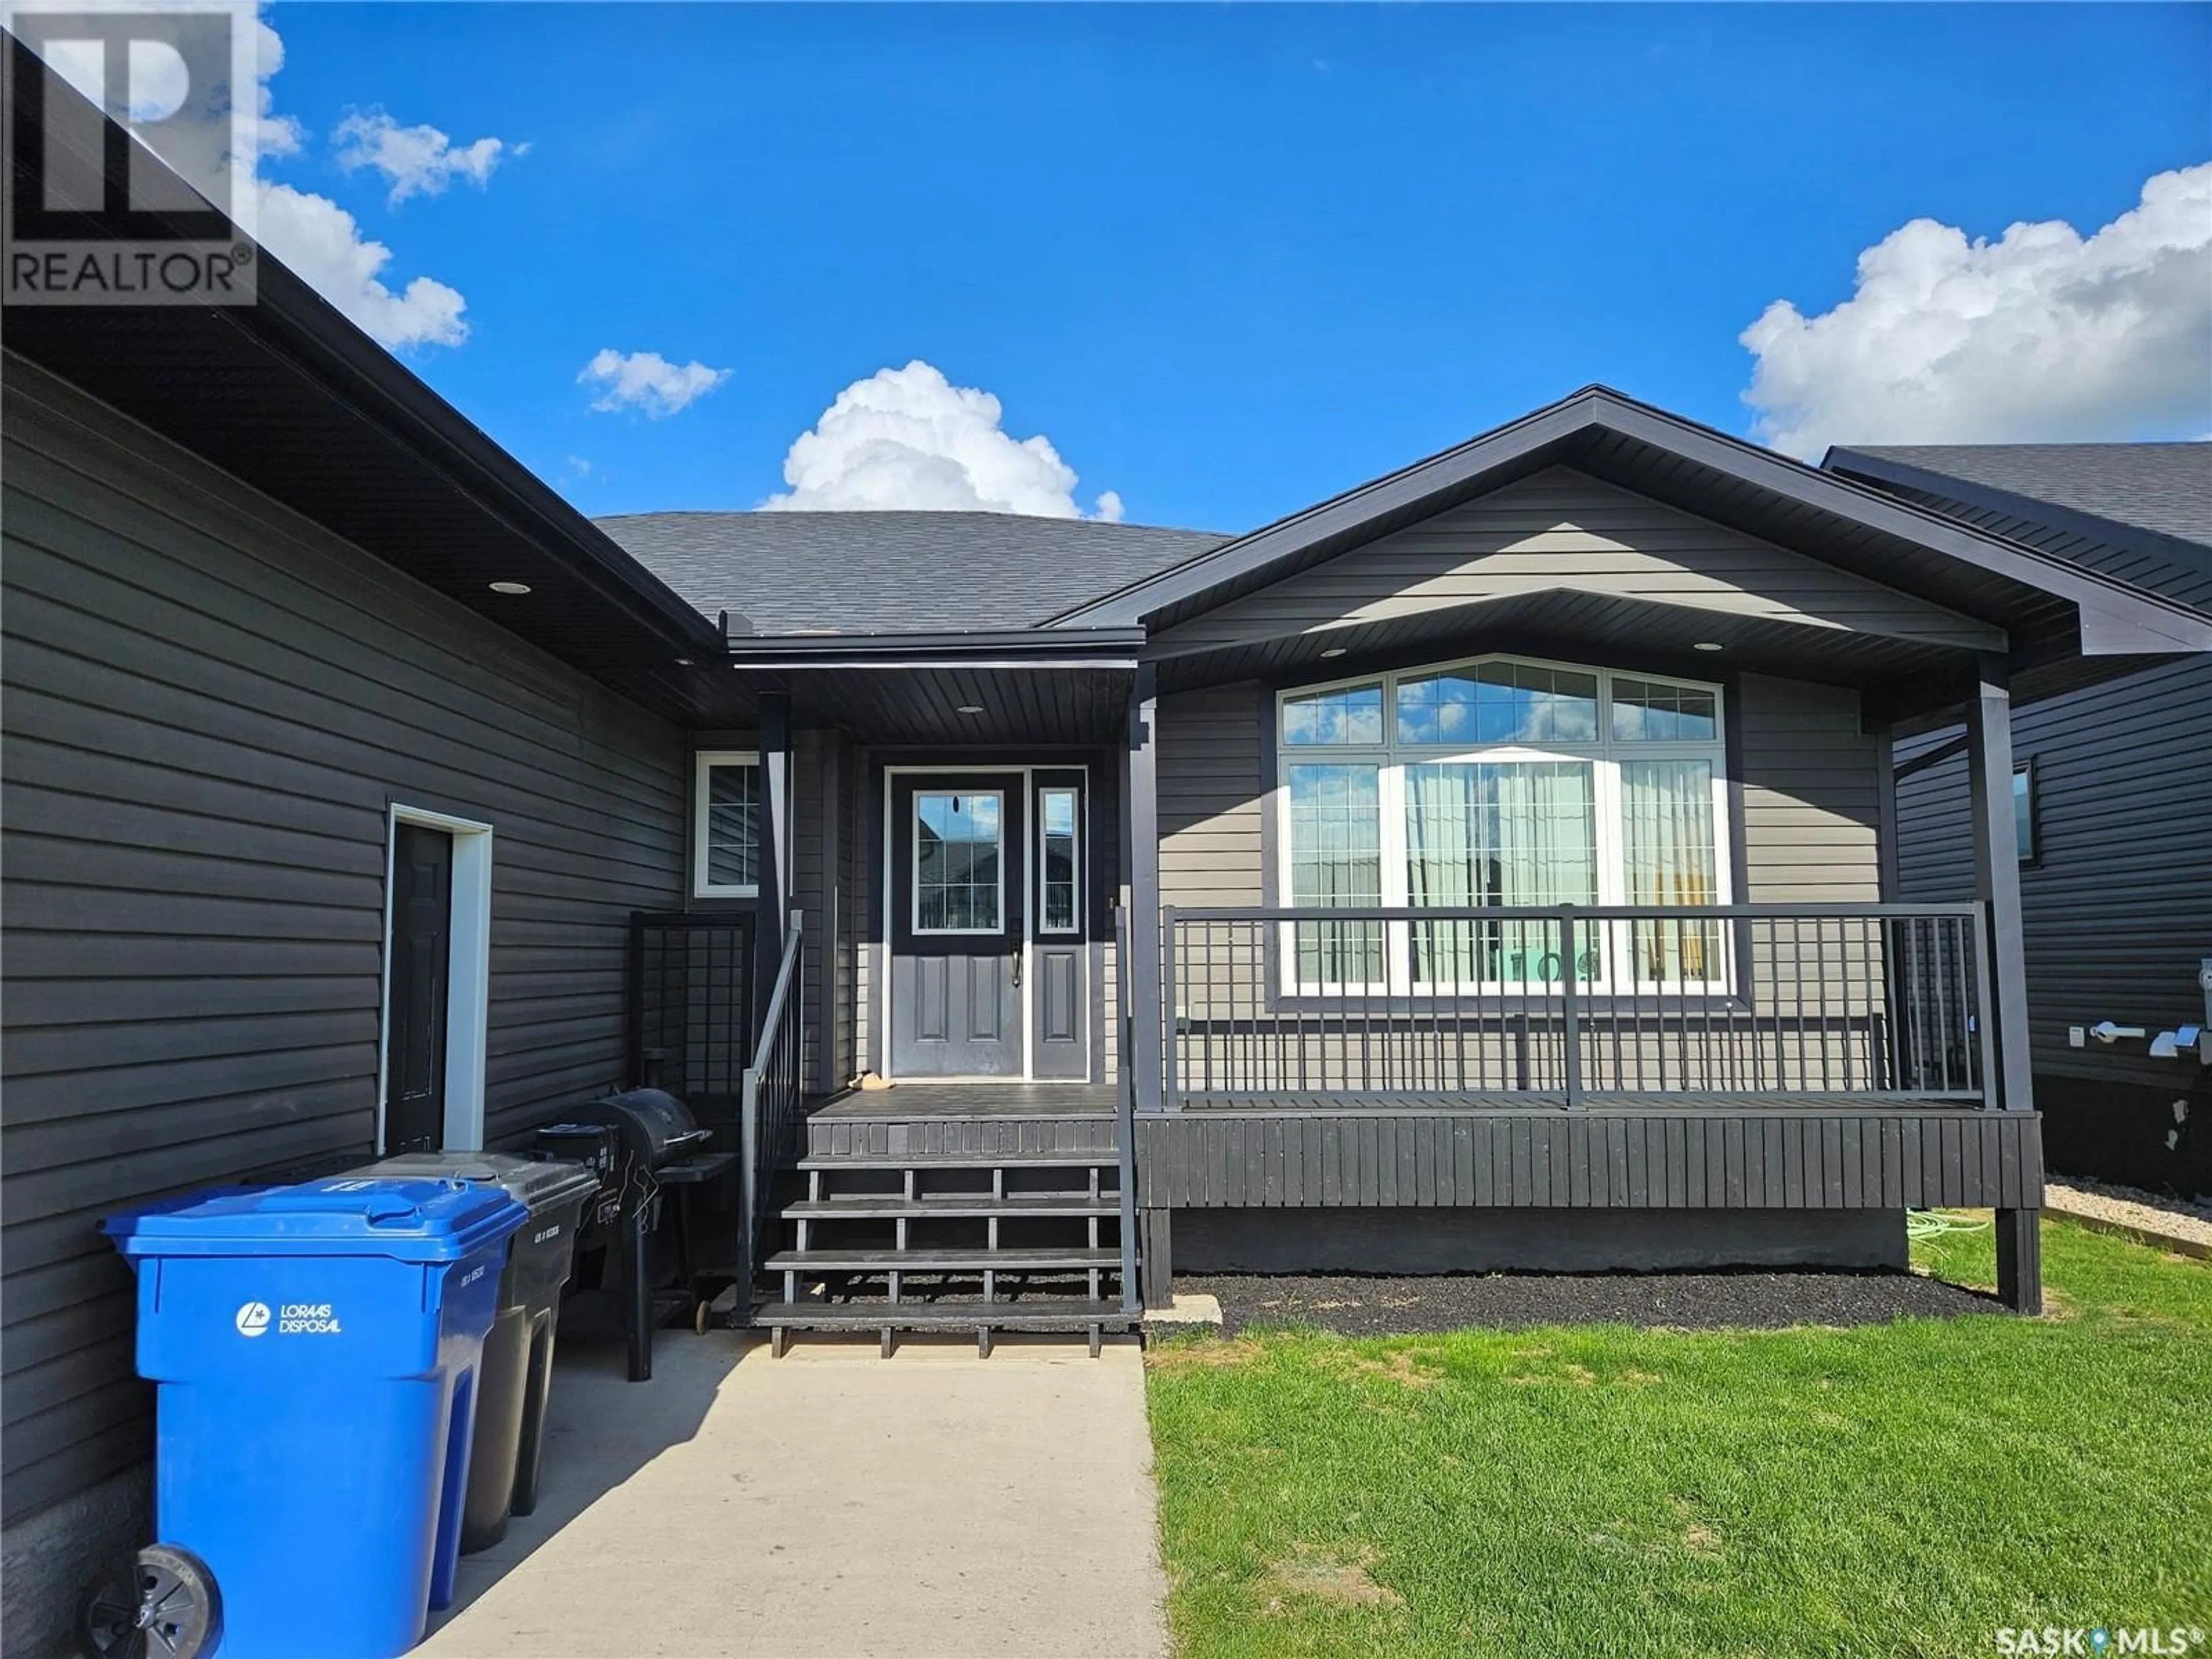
(2118, 908)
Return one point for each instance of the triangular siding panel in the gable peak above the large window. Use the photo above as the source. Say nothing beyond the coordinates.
(1563, 530)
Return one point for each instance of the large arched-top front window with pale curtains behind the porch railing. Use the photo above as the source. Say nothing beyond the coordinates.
(1501, 784)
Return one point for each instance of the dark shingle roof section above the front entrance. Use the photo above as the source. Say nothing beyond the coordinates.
(895, 572)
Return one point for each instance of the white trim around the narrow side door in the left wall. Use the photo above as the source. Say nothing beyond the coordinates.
(468, 983)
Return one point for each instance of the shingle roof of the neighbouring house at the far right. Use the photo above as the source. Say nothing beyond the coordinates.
(2156, 488)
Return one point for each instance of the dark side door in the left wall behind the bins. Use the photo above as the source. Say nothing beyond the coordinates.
(421, 974)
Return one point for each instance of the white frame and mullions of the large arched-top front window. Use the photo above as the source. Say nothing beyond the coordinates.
(1605, 758)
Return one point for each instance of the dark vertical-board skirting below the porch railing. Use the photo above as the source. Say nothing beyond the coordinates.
(1687, 1160)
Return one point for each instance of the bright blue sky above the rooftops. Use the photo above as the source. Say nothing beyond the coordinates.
(1233, 260)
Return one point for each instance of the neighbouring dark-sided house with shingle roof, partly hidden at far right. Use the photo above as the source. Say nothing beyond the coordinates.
(2114, 797)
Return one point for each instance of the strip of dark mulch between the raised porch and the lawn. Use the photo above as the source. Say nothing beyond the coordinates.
(1361, 1306)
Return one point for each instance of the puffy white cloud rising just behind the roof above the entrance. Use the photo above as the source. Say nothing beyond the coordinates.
(912, 439)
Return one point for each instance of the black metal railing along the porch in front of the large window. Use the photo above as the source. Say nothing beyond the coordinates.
(1578, 1005)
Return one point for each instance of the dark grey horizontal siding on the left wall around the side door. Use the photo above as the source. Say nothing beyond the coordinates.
(211, 707)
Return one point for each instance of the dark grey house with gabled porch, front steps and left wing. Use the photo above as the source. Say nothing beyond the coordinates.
(1483, 868)
